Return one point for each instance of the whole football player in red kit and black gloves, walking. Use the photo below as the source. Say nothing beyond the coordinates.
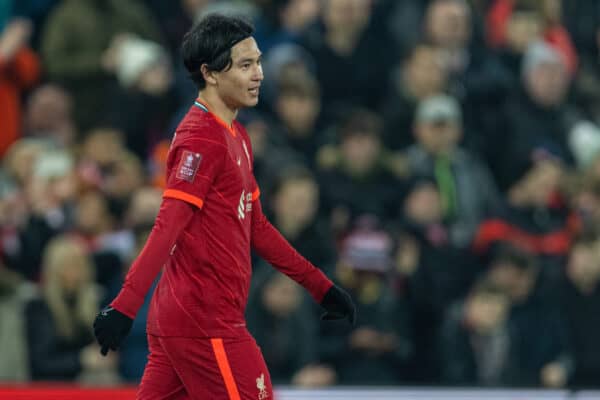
(209, 221)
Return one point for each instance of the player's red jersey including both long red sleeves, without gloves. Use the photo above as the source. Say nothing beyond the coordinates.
(206, 253)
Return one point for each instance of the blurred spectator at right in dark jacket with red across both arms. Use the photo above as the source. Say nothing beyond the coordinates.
(535, 215)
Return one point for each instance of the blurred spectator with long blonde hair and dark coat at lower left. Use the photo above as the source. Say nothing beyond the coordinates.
(59, 335)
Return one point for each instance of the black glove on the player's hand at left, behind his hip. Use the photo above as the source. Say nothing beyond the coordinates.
(110, 328)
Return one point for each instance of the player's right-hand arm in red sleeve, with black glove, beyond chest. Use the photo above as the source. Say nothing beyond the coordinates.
(272, 246)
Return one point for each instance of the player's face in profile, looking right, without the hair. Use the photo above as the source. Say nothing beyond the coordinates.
(239, 85)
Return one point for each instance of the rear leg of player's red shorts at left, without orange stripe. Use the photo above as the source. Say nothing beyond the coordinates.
(160, 380)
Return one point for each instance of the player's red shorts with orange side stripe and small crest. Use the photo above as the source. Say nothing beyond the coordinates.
(190, 368)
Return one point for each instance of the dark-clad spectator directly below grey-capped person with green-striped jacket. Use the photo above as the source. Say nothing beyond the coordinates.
(431, 272)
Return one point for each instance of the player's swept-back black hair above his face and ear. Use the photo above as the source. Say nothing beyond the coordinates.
(210, 41)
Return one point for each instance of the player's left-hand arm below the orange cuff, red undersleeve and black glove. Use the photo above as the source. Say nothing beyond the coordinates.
(114, 322)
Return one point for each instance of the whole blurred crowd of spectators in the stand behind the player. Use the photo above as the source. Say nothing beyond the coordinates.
(440, 159)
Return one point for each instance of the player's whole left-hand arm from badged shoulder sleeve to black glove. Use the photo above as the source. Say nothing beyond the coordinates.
(192, 165)
